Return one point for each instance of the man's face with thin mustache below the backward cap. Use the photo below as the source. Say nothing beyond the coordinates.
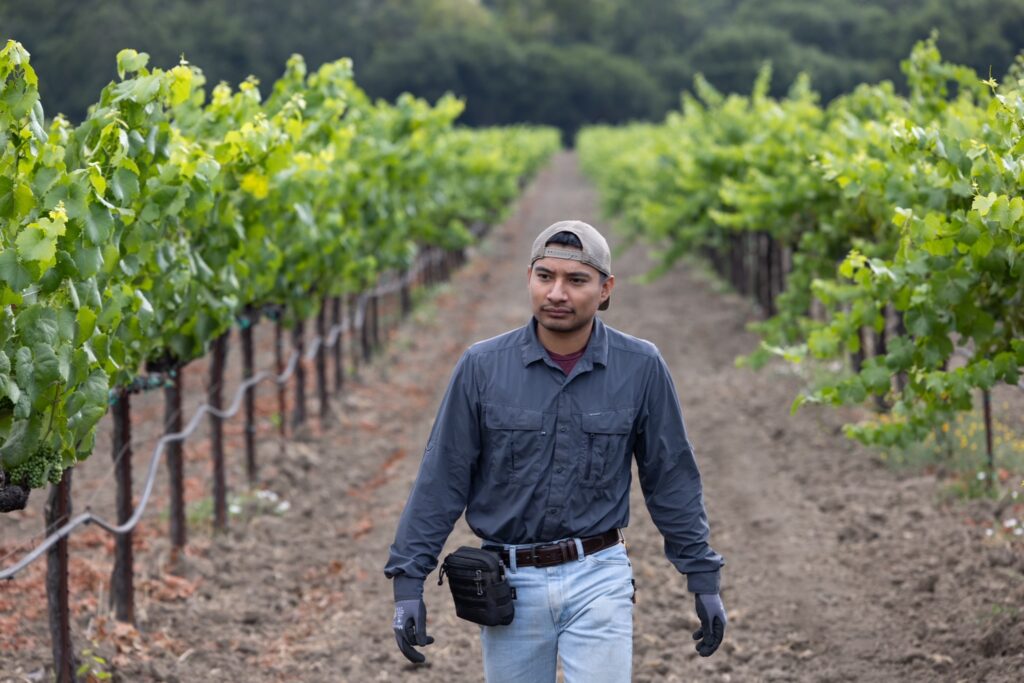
(566, 294)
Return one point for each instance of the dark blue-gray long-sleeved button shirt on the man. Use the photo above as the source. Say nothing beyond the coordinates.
(533, 455)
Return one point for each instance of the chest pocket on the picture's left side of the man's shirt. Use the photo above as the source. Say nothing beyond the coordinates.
(514, 441)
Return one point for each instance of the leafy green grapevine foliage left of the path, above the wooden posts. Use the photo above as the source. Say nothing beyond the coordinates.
(142, 235)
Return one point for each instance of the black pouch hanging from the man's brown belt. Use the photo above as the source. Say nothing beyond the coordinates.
(481, 589)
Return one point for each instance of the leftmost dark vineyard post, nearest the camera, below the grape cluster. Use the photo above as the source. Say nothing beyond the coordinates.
(59, 514)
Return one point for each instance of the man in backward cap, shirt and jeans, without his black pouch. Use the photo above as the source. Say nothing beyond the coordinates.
(534, 440)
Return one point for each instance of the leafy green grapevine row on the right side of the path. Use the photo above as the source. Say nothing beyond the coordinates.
(900, 221)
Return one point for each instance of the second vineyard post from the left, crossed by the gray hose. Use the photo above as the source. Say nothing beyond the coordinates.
(122, 577)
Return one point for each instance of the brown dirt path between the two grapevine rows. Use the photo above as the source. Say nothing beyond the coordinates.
(837, 570)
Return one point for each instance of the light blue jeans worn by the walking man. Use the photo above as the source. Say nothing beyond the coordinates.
(579, 612)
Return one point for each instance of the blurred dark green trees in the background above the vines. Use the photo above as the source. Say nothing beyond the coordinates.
(564, 63)
